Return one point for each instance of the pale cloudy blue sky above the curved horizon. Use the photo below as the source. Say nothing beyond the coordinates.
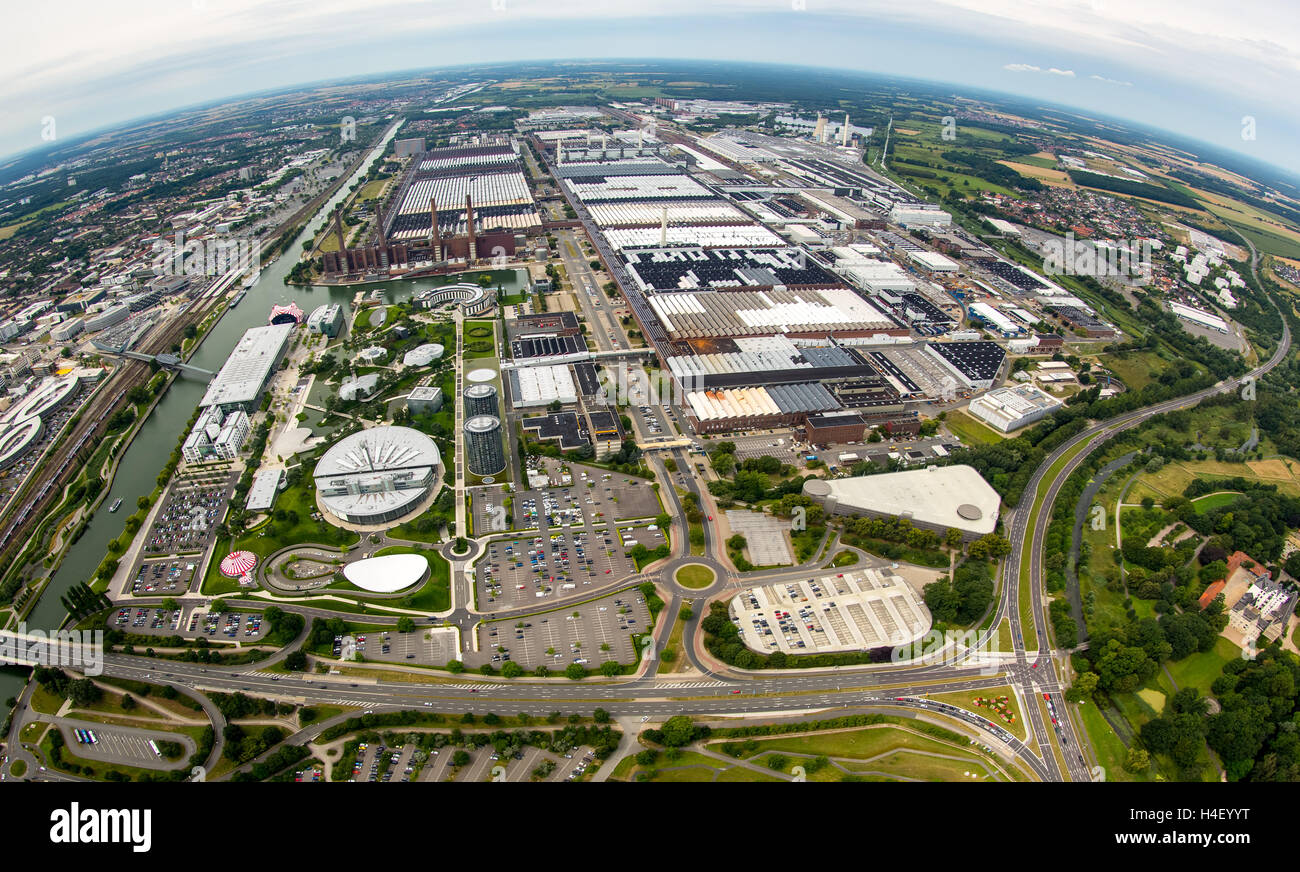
(1214, 71)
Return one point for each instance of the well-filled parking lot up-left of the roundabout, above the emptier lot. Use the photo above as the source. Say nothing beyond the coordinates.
(539, 571)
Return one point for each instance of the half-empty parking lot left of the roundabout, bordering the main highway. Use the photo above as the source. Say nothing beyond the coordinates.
(588, 635)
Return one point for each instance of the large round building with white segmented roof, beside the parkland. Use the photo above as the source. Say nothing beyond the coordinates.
(376, 476)
